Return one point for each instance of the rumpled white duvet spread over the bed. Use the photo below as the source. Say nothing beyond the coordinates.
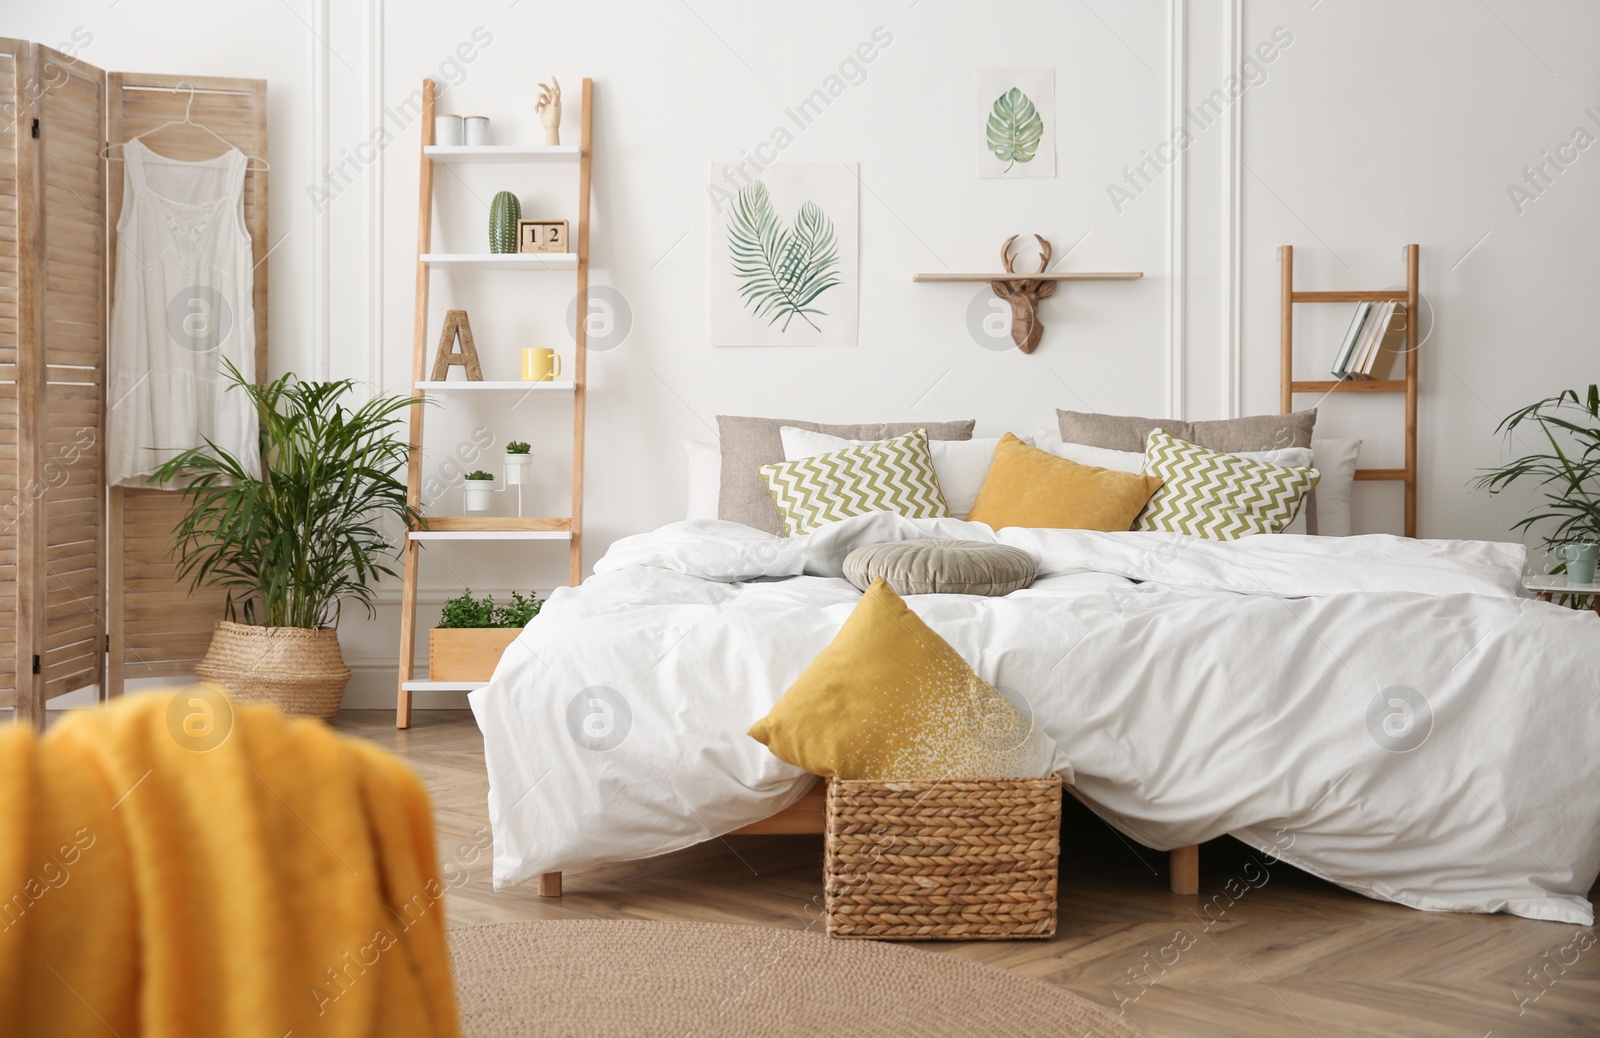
(1383, 713)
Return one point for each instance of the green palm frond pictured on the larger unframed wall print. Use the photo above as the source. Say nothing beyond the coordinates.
(782, 271)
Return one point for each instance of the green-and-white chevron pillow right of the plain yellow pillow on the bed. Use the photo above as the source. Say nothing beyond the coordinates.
(1220, 497)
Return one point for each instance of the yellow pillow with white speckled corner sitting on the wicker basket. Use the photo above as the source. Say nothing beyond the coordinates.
(890, 700)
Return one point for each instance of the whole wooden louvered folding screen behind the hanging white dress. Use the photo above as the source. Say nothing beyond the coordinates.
(87, 599)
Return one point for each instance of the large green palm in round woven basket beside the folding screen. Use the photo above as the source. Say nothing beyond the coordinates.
(295, 543)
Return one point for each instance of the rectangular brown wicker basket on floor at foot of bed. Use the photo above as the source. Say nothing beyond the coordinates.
(943, 861)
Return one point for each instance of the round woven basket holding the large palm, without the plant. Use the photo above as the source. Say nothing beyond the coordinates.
(292, 668)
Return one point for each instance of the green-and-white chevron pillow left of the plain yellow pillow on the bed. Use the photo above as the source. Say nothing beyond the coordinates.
(887, 476)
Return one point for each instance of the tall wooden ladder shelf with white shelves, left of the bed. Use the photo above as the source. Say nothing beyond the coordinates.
(455, 529)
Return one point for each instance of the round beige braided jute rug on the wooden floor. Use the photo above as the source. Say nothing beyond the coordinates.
(636, 980)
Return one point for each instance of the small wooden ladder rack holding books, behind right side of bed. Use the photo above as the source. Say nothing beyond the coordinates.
(1290, 386)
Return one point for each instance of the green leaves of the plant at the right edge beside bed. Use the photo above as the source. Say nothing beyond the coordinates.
(1567, 476)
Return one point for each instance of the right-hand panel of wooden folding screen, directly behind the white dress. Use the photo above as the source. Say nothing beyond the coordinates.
(158, 628)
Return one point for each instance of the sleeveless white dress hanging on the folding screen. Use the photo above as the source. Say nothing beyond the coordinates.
(183, 305)
